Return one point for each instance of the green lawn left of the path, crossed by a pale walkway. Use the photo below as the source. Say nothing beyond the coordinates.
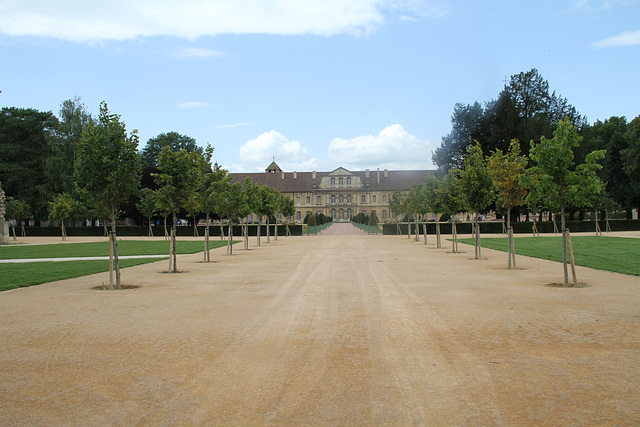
(34, 273)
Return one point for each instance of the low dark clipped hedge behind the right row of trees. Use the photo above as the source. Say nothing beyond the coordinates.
(518, 227)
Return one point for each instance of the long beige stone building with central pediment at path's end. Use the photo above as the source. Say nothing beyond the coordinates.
(340, 194)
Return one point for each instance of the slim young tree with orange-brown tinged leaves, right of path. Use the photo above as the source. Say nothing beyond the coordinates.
(508, 172)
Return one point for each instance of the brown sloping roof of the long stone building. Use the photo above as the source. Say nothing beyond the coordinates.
(297, 182)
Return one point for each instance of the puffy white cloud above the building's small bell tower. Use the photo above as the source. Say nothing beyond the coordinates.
(257, 154)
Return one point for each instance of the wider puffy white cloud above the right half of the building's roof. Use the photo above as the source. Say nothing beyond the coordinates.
(394, 148)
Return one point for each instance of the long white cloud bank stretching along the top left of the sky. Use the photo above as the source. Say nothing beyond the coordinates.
(83, 21)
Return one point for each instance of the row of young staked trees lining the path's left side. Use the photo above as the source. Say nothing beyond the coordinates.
(107, 170)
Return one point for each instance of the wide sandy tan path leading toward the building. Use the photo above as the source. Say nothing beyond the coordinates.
(329, 330)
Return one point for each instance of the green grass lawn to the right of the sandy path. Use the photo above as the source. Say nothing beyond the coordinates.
(617, 254)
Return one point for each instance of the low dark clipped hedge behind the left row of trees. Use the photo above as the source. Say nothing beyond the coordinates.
(158, 230)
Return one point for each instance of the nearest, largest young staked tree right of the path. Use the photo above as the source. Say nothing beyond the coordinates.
(558, 182)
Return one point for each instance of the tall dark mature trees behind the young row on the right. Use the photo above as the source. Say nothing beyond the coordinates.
(527, 110)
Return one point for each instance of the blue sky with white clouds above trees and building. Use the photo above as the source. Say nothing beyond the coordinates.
(313, 84)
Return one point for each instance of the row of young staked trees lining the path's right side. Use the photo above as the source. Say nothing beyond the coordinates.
(553, 182)
